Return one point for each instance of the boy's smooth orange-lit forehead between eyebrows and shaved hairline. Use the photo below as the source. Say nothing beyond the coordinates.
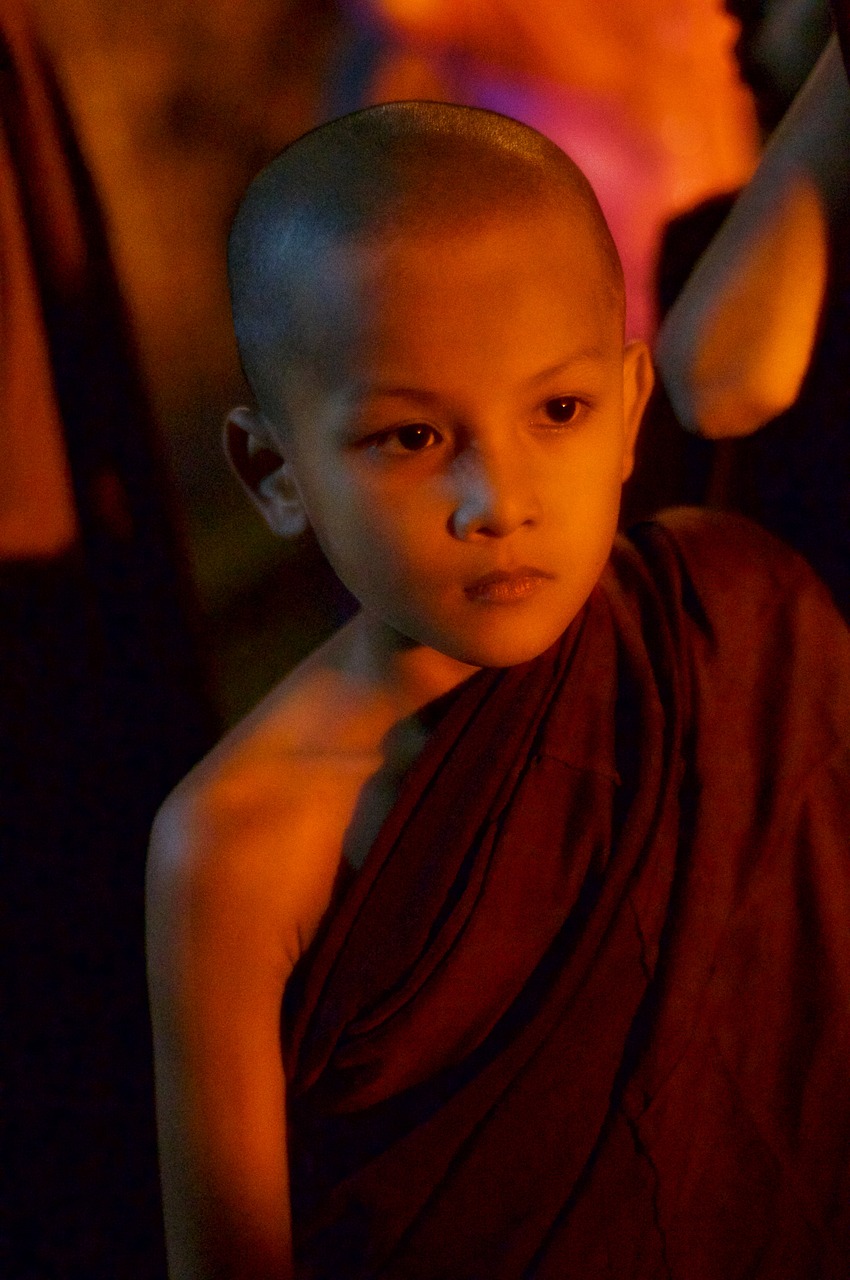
(536, 286)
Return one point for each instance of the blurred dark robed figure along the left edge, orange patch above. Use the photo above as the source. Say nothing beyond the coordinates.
(103, 706)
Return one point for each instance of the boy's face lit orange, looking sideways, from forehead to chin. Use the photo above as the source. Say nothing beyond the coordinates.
(463, 464)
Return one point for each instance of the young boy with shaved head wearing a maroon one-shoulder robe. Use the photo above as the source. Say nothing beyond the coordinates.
(509, 936)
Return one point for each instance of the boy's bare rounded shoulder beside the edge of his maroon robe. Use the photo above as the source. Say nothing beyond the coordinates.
(257, 831)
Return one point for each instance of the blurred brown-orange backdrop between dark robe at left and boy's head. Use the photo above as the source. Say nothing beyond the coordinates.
(177, 106)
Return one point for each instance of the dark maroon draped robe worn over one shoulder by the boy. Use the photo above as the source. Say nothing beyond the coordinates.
(586, 1011)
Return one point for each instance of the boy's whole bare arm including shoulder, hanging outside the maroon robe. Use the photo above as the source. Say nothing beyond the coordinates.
(243, 868)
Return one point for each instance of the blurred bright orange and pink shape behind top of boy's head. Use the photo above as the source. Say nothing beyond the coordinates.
(646, 98)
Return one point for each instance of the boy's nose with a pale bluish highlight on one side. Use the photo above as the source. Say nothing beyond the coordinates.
(493, 497)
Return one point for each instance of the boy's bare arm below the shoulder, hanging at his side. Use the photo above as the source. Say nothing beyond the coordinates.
(218, 961)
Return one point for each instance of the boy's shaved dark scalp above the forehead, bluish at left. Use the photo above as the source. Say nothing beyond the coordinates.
(396, 170)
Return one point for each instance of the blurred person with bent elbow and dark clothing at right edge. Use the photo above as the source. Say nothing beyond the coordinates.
(758, 342)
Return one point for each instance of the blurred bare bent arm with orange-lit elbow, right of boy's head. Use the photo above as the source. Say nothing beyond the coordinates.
(735, 348)
